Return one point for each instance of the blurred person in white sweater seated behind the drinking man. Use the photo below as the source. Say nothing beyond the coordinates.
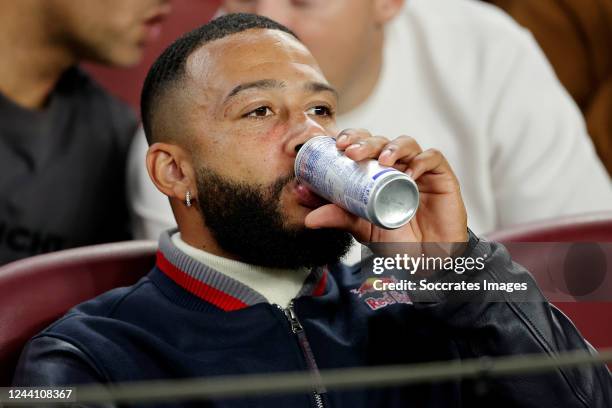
(461, 76)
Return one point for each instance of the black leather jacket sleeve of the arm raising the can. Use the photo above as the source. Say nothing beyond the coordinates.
(483, 323)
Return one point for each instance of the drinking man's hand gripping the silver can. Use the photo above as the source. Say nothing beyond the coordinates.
(441, 216)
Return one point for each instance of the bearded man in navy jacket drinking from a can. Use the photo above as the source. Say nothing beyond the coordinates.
(251, 281)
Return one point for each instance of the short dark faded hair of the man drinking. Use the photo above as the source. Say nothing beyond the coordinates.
(169, 67)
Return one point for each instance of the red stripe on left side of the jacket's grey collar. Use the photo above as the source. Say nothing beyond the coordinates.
(212, 295)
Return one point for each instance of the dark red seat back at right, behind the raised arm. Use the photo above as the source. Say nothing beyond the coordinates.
(593, 319)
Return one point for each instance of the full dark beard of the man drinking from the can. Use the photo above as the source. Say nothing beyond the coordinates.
(246, 221)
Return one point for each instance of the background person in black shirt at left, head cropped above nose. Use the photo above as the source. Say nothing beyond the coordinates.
(63, 139)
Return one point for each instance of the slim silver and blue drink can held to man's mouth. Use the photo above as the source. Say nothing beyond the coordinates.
(383, 195)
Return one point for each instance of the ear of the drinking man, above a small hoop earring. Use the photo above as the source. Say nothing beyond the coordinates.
(171, 171)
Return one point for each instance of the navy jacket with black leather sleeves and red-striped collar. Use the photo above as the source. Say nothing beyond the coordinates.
(187, 320)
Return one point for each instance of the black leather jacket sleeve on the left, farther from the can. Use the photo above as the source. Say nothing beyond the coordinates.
(49, 361)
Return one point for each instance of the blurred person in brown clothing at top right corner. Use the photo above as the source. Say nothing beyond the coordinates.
(576, 37)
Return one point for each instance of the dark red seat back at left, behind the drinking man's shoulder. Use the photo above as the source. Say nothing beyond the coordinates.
(36, 291)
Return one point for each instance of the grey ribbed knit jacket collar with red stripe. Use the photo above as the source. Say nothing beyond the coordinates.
(216, 288)
